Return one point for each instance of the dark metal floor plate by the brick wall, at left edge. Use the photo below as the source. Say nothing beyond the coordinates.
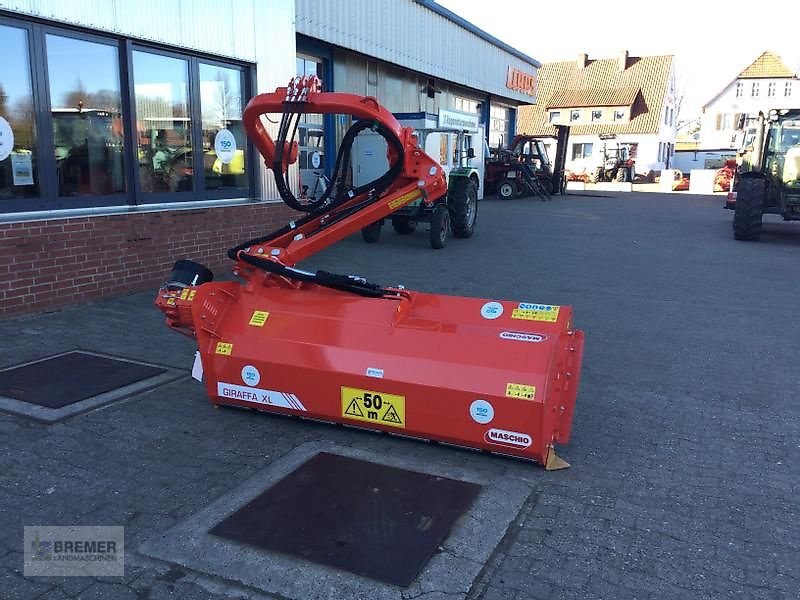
(59, 381)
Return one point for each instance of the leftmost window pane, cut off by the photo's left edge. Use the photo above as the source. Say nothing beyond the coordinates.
(18, 169)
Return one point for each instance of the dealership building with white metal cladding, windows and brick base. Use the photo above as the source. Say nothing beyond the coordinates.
(121, 141)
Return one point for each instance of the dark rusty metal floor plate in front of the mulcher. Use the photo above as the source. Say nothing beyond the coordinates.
(381, 522)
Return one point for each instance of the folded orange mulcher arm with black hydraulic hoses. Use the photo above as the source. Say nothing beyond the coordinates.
(344, 210)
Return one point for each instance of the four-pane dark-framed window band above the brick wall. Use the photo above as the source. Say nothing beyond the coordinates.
(92, 120)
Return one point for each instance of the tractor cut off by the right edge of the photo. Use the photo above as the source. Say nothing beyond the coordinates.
(770, 181)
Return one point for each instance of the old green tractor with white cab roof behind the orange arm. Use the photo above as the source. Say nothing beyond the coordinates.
(455, 212)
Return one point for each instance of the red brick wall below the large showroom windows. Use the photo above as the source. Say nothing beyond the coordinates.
(47, 264)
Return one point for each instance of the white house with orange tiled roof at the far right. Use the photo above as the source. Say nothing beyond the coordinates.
(765, 84)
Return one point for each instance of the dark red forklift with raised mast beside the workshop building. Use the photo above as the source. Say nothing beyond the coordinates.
(525, 168)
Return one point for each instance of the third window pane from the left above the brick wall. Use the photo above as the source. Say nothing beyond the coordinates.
(163, 123)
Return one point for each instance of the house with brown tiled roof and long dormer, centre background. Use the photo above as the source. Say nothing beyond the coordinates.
(626, 100)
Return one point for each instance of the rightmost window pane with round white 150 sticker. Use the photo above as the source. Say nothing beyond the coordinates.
(224, 140)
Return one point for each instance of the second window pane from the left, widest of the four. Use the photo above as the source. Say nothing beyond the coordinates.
(87, 116)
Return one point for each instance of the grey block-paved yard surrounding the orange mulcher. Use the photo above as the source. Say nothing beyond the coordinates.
(685, 446)
